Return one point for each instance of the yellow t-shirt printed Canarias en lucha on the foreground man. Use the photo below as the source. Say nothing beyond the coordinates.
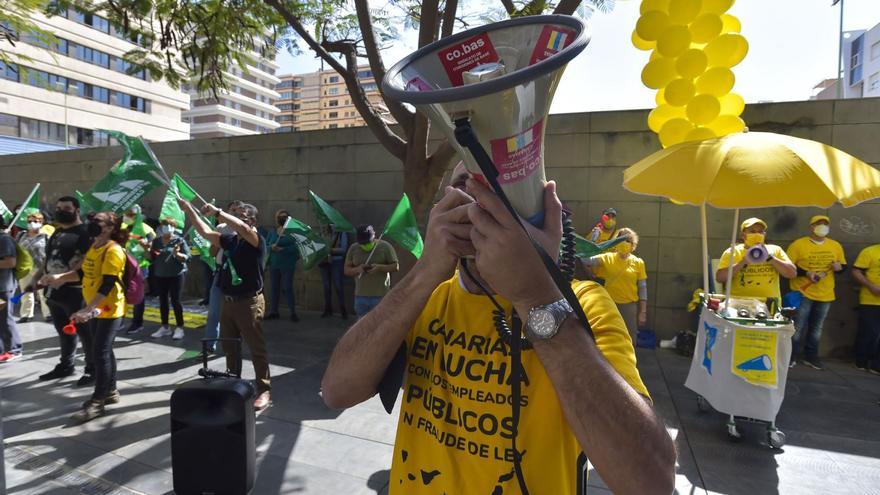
(454, 433)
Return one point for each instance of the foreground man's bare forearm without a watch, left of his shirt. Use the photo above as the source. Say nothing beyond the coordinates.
(364, 352)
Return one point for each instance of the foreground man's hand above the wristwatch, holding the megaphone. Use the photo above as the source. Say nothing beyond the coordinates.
(504, 255)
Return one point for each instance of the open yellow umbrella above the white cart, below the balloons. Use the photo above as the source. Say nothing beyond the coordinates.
(755, 170)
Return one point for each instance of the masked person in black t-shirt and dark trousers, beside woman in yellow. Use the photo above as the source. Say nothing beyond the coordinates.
(65, 252)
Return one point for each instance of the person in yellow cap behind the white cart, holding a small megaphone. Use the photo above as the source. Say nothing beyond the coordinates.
(755, 279)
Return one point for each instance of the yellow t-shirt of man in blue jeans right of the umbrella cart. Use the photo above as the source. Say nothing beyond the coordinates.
(813, 257)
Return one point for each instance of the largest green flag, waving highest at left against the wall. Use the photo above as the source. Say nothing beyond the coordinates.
(130, 179)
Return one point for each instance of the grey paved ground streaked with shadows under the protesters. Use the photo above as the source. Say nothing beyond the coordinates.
(832, 420)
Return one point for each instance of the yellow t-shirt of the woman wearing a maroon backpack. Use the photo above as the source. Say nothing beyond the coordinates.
(108, 259)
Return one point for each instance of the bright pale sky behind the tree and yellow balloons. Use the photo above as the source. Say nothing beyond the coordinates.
(792, 47)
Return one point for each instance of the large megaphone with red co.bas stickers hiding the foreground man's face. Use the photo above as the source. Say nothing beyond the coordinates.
(499, 78)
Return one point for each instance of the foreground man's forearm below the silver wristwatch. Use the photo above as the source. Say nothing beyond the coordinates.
(615, 426)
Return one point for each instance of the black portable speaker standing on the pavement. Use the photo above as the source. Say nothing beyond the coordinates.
(213, 450)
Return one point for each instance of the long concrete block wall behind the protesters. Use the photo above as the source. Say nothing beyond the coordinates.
(586, 154)
